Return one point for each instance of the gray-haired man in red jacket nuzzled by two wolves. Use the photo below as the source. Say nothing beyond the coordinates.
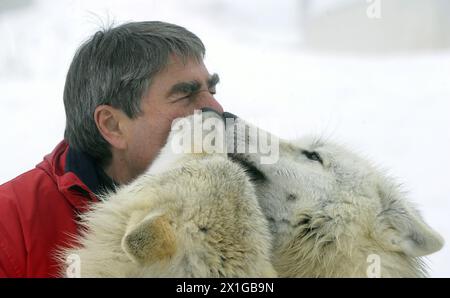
(123, 89)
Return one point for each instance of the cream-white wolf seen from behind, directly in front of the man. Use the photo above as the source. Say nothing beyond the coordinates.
(190, 215)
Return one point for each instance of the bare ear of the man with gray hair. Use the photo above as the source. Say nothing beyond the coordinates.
(111, 125)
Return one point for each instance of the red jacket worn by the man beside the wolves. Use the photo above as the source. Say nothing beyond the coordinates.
(38, 211)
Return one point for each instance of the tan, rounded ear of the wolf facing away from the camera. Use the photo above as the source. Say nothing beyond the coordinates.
(149, 241)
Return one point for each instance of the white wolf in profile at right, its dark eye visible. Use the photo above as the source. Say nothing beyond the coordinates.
(334, 214)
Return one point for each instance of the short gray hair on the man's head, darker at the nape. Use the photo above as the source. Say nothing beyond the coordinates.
(115, 67)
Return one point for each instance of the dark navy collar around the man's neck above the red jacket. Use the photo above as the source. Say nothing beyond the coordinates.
(90, 173)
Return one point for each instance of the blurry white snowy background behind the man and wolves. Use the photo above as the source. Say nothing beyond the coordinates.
(380, 85)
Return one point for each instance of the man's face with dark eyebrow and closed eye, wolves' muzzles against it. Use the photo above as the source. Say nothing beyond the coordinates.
(175, 92)
